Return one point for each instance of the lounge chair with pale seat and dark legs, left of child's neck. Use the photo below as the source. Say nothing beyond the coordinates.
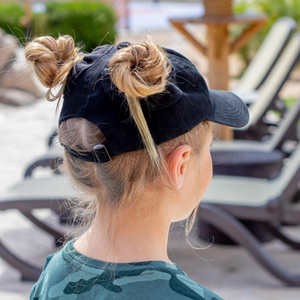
(29, 195)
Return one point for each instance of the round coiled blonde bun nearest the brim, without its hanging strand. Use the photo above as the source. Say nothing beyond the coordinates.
(140, 70)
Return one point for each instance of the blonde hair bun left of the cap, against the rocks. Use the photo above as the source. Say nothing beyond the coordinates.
(52, 60)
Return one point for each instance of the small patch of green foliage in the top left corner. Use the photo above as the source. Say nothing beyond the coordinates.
(10, 19)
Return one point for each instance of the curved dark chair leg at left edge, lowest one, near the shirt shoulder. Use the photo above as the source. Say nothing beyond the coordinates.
(29, 273)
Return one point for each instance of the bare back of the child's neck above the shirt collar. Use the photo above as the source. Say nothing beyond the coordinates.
(132, 236)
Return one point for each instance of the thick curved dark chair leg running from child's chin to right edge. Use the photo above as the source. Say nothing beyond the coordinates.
(237, 232)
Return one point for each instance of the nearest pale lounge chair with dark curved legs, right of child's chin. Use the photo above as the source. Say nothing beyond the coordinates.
(230, 199)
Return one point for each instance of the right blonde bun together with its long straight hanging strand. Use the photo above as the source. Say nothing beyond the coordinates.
(140, 71)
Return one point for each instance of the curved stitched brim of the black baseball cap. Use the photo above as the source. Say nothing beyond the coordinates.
(228, 109)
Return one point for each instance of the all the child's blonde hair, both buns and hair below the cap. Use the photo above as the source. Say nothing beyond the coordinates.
(138, 71)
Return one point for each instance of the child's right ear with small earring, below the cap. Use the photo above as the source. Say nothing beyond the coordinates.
(177, 162)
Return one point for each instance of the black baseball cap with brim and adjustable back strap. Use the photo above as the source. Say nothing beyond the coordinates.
(185, 103)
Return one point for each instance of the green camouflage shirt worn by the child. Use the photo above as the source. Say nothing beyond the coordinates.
(69, 275)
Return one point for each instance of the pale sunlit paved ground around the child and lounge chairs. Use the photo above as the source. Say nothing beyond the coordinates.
(229, 271)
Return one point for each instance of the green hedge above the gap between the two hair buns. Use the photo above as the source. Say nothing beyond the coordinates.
(92, 23)
